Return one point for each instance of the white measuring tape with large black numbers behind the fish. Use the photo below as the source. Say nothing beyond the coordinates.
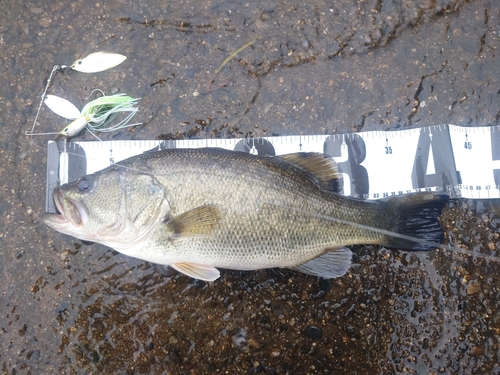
(462, 161)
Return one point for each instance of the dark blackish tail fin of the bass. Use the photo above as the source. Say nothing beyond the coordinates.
(416, 221)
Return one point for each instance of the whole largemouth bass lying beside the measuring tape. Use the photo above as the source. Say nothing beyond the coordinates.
(200, 209)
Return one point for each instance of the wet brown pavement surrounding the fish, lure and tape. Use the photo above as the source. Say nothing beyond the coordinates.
(315, 68)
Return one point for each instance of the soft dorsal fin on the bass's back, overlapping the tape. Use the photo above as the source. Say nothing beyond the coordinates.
(325, 169)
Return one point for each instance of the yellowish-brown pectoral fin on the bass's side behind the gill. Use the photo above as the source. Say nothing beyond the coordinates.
(198, 222)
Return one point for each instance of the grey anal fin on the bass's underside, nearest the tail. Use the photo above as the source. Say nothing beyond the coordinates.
(334, 263)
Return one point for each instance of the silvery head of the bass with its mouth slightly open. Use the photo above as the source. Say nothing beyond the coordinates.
(114, 207)
